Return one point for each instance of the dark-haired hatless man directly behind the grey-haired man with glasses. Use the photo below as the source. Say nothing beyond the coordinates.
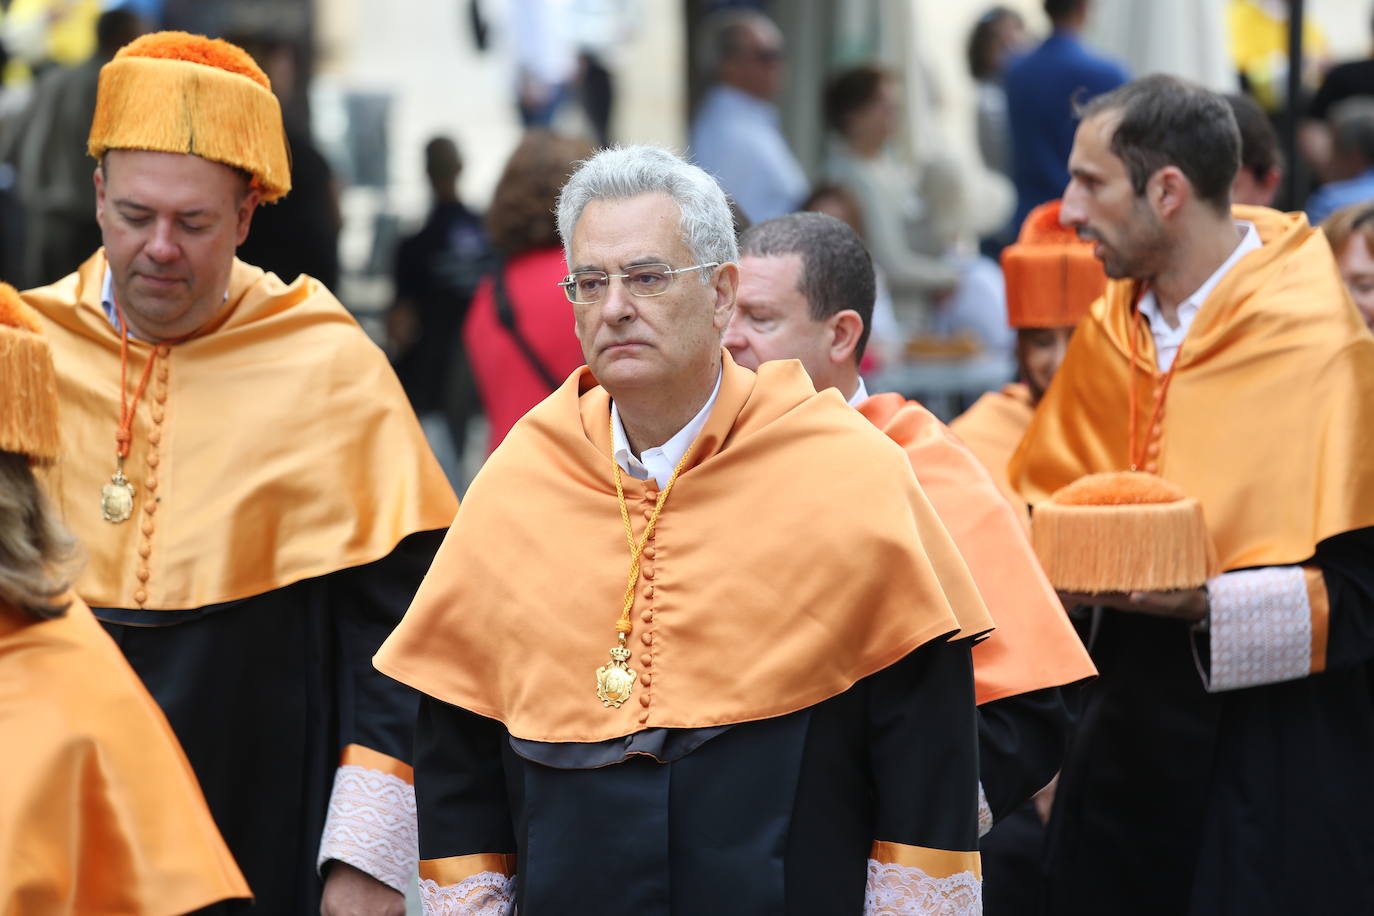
(806, 293)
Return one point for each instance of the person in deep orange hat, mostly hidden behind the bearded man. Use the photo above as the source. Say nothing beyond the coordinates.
(1052, 281)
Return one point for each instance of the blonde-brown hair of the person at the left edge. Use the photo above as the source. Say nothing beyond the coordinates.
(36, 553)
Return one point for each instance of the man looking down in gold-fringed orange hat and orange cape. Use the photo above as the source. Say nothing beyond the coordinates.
(249, 483)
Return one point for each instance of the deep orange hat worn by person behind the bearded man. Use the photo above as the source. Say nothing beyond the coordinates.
(1050, 273)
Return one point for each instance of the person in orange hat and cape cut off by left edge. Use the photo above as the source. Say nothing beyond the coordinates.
(100, 812)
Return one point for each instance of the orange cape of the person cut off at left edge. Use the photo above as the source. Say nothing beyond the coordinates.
(100, 811)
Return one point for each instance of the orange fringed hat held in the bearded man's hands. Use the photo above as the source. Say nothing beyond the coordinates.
(1123, 532)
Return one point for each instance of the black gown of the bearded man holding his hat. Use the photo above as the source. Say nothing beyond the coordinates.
(1248, 803)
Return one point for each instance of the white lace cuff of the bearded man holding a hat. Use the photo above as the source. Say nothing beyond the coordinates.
(1262, 628)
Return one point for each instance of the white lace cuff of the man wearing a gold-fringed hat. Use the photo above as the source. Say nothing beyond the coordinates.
(372, 826)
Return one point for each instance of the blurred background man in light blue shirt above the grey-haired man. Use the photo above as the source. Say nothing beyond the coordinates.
(736, 135)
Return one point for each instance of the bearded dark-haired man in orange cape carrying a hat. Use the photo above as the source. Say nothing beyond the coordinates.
(1230, 737)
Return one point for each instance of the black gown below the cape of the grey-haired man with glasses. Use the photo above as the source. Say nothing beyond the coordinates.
(773, 818)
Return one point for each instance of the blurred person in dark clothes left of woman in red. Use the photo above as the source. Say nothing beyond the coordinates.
(436, 274)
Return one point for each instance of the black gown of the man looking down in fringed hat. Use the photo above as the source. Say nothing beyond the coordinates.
(266, 693)
